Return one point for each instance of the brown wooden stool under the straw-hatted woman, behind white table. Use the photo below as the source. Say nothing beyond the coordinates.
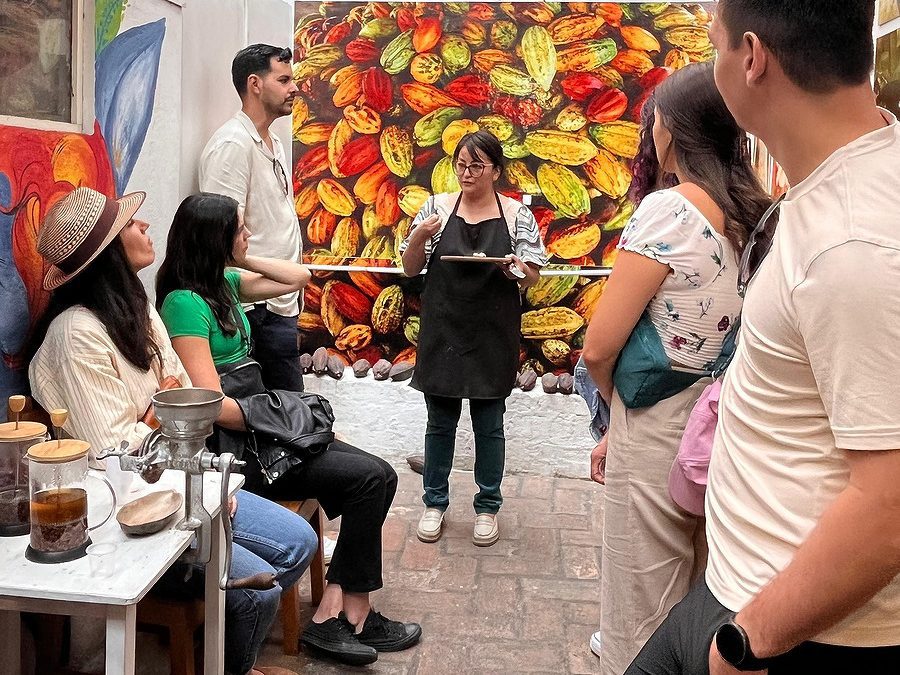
(181, 618)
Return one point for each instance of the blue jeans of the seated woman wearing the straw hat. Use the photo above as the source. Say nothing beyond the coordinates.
(267, 538)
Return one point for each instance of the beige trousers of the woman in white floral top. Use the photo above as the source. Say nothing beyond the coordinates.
(652, 550)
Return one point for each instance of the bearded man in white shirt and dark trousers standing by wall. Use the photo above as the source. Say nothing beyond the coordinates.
(245, 161)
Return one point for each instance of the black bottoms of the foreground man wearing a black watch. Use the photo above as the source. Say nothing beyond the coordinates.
(680, 646)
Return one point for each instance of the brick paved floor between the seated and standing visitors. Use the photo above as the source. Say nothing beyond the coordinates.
(527, 604)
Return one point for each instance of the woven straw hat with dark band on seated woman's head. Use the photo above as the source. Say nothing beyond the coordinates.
(78, 228)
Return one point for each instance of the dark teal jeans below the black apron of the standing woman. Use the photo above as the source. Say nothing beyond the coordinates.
(440, 442)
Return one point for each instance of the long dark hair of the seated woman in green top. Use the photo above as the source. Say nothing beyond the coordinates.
(198, 249)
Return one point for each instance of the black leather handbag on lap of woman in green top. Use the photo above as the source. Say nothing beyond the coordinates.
(284, 428)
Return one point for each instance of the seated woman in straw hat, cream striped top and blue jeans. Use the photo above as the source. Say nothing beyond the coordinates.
(105, 352)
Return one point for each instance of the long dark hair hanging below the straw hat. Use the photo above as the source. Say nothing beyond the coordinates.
(111, 290)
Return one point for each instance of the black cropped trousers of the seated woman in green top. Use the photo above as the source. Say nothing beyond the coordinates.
(360, 488)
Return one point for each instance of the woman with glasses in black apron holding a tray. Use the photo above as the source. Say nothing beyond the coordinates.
(470, 324)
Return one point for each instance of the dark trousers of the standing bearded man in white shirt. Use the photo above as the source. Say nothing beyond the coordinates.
(275, 347)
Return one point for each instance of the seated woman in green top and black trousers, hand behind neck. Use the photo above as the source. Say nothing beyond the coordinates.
(200, 303)
